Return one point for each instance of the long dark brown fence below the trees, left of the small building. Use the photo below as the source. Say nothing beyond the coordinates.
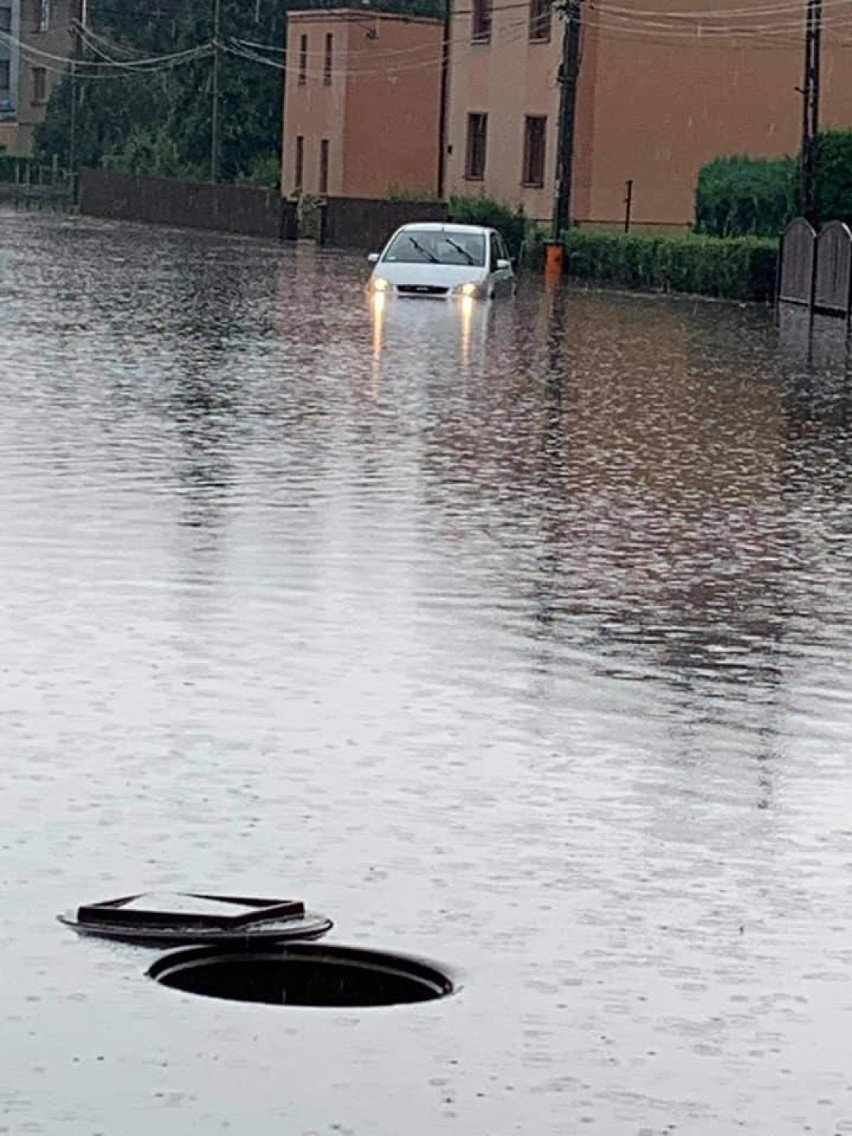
(190, 205)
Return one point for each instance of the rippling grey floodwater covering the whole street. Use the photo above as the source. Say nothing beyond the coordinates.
(517, 639)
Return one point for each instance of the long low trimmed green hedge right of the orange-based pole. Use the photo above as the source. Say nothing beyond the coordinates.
(741, 269)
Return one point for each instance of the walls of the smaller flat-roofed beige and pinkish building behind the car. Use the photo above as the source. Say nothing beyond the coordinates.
(380, 113)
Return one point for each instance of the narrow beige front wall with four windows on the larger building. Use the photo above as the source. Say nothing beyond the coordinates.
(507, 78)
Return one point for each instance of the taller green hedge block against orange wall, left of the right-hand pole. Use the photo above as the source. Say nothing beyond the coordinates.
(746, 197)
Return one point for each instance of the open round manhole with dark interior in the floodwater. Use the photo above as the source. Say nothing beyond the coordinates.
(304, 974)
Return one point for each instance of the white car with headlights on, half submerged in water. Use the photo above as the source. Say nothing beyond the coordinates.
(441, 261)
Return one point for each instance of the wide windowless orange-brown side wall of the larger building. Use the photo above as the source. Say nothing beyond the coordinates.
(656, 112)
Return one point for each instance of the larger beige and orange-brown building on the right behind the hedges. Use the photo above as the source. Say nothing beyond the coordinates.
(657, 99)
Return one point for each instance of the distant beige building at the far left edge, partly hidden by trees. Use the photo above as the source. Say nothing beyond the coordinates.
(36, 38)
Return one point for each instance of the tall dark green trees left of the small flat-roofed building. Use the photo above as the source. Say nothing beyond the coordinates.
(164, 118)
